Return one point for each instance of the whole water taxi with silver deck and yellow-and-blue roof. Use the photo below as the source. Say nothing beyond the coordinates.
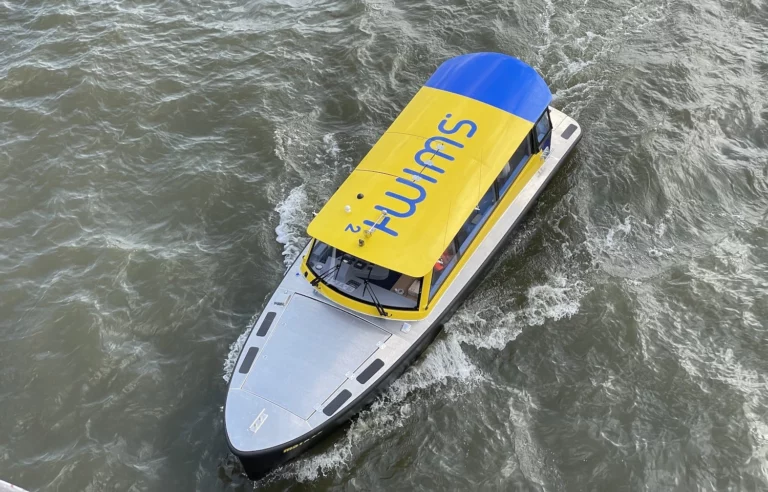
(393, 253)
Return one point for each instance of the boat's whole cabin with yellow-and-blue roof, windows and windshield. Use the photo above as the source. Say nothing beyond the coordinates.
(391, 237)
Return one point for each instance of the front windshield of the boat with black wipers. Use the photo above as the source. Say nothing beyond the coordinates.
(363, 281)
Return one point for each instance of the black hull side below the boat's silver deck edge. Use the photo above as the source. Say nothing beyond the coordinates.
(258, 464)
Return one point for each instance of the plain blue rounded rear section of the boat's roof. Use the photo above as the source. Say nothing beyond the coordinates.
(499, 80)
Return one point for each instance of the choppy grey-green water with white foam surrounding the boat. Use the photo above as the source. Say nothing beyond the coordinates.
(160, 160)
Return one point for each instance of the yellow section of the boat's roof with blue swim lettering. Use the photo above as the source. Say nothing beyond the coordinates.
(417, 186)
